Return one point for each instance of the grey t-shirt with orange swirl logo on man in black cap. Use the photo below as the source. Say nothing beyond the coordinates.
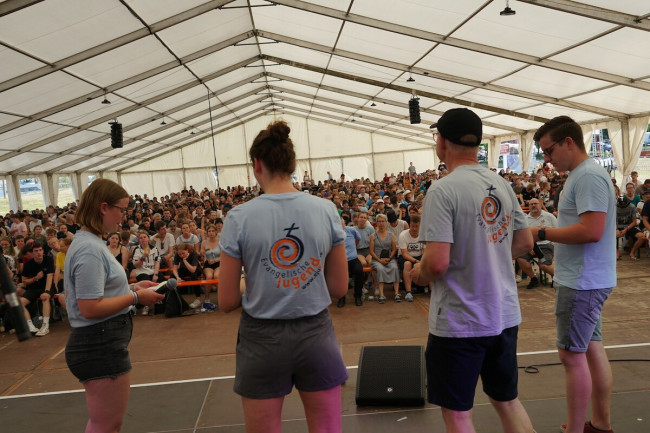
(477, 212)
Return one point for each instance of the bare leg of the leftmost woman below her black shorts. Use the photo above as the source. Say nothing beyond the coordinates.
(106, 400)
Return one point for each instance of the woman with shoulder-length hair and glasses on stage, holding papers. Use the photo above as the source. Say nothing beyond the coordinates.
(99, 303)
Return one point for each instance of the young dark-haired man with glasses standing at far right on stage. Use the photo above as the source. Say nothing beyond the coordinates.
(585, 270)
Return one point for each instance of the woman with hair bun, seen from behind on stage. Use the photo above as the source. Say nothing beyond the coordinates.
(291, 246)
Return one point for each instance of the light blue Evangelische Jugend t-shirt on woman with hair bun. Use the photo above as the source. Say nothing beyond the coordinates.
(283, 240)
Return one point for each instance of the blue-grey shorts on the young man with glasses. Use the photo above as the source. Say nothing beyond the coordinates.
(578, 317)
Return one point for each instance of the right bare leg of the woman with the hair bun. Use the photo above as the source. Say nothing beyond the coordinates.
(323, 410)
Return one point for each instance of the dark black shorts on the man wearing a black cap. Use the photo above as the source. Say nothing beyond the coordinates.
(455, 364)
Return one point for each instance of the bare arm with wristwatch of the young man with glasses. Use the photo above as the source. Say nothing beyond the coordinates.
(590, 229)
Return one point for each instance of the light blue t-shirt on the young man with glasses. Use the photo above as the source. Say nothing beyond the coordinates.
(592, 265)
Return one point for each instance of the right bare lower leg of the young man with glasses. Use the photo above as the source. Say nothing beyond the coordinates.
(601, 379)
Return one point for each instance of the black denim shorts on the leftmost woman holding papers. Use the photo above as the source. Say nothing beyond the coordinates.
(99, 351)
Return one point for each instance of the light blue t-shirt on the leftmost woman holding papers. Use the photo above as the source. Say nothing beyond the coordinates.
(91, 272)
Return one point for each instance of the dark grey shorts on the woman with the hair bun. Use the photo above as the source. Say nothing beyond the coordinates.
(273, 355)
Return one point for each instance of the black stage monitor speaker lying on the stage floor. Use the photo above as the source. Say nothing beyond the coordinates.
(391, 376)
